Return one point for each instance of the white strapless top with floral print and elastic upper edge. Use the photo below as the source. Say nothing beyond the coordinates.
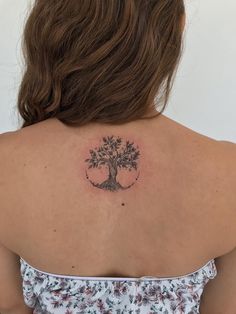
(51, 293)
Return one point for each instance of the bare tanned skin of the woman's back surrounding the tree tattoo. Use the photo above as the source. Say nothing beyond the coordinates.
(170, 222)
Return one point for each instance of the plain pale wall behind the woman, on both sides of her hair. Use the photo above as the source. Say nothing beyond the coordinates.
(204, 93)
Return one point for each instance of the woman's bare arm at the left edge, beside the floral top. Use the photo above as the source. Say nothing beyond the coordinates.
(11, 292)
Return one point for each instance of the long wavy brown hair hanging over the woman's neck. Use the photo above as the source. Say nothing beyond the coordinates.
(98, 60)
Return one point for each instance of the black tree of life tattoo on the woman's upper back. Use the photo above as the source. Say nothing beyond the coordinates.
(114, 153)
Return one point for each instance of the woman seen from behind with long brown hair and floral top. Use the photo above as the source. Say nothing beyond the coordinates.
(107, 205)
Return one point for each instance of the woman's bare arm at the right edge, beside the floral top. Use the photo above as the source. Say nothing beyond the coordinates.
(219, 295)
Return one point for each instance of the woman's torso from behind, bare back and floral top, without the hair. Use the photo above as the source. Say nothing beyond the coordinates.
(154, 242)
